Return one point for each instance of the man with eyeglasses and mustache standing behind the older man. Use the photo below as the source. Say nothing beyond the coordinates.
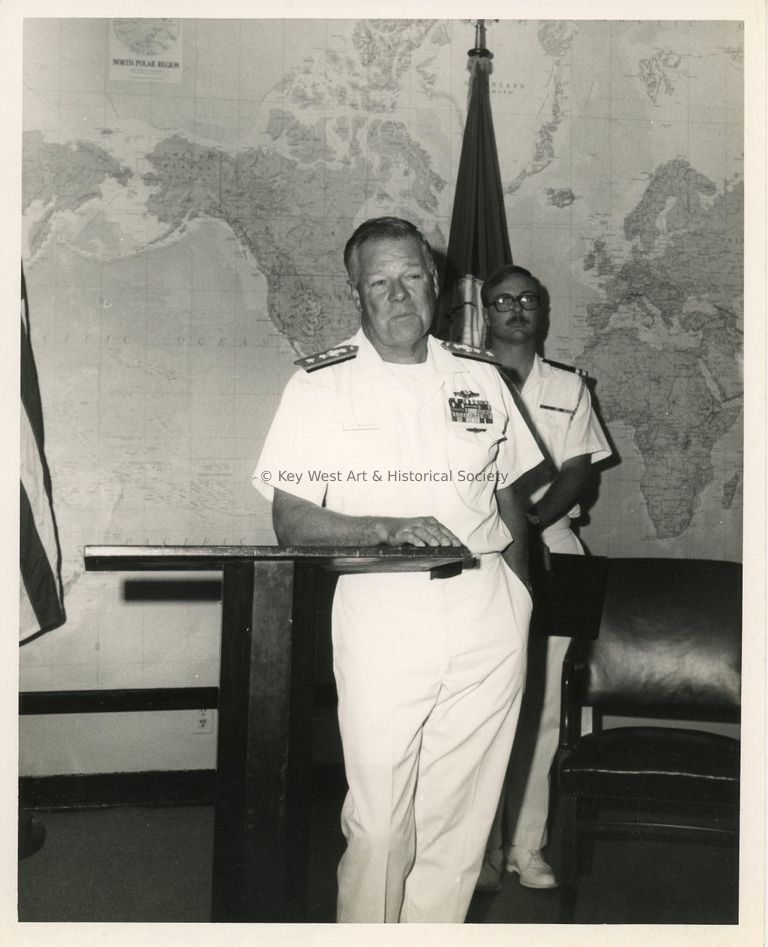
(559, 405)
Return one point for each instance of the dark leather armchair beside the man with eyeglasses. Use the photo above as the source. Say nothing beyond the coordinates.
(669, 649)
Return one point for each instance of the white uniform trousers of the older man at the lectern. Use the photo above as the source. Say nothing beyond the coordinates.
(429, 677)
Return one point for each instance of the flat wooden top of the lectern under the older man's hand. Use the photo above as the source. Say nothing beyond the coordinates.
(449, 560)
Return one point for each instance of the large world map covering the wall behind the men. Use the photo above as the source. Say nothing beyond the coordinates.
(183, 246)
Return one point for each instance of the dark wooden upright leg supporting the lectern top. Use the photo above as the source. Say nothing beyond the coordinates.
(266, 698)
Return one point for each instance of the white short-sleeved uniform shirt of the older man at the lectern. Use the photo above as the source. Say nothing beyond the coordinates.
(357, 439)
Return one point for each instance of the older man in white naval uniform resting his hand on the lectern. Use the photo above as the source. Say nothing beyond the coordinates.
(393, 438)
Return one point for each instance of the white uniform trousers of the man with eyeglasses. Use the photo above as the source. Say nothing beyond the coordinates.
(524, 804)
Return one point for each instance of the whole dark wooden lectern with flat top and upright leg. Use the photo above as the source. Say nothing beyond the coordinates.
(270, 601)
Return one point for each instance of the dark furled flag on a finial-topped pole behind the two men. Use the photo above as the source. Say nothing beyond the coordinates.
(478, 241)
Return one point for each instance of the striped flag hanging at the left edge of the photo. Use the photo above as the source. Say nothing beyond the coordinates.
(41, 594)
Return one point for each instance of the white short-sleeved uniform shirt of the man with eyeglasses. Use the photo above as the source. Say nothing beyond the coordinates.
(561, 408)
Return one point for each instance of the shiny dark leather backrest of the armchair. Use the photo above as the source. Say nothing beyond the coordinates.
(669, 642)
